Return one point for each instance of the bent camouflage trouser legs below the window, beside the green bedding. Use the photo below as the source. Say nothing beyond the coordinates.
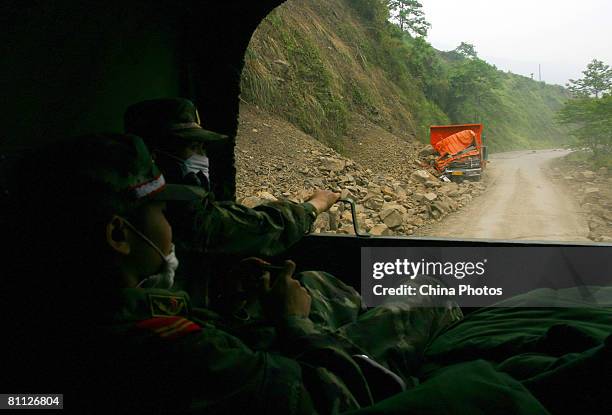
(394, 333)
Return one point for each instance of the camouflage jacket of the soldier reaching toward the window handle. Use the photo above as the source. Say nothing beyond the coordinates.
(230, 228)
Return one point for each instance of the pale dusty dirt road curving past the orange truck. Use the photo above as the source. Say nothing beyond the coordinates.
(520, 203)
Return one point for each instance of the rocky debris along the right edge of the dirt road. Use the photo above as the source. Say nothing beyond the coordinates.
(593, 192)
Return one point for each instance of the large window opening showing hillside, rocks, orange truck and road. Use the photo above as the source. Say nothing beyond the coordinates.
(460, 120)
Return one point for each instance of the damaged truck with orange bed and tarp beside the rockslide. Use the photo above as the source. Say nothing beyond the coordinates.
(461, 150)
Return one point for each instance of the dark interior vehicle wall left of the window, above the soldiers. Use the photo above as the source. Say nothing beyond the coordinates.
(73, 67)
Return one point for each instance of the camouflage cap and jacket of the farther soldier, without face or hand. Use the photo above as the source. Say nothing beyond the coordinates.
(212, 227)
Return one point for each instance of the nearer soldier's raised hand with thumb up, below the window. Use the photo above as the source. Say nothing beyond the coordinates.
(286, 296)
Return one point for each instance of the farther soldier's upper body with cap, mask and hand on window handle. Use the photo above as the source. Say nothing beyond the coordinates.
(203, 230)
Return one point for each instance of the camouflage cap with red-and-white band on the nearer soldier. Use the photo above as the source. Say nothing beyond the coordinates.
(123, 163)
